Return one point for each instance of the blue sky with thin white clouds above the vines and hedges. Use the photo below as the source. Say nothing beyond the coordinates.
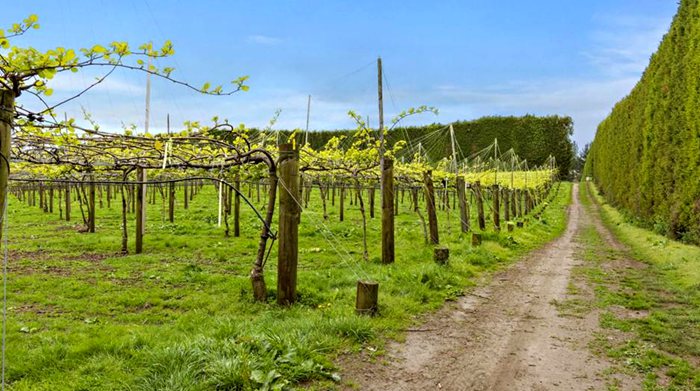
(467, 58)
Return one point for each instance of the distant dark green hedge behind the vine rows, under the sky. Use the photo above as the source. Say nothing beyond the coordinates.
(533, 138)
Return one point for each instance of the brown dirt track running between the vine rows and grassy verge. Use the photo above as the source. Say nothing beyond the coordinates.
(505, 336)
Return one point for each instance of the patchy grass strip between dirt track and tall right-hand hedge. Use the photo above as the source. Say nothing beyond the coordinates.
(649, 297)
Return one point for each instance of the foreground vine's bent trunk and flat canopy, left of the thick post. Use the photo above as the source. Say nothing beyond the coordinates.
(95, 153)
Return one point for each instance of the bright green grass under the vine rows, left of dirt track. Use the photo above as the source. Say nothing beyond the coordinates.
(181, 315)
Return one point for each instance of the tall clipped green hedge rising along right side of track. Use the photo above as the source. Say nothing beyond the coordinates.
(646, 154)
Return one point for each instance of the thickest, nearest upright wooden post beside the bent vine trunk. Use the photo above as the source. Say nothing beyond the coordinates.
(289, 214)
